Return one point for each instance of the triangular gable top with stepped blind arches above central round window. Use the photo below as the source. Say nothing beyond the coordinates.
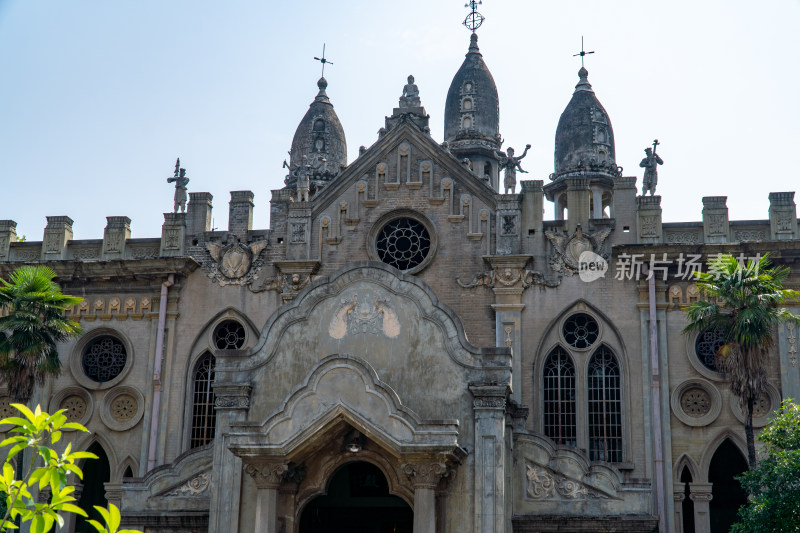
(405, 157)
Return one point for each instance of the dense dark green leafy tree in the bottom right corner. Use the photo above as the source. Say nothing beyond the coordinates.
(775, 482)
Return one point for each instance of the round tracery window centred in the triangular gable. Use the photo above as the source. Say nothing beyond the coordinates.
(403, 243)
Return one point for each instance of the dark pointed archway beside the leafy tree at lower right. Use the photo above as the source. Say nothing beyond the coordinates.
(728, 494)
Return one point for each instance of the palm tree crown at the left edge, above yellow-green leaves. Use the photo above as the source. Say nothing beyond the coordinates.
(33, 324)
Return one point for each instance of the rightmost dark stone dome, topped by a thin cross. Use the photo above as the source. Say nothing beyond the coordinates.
(584, 137)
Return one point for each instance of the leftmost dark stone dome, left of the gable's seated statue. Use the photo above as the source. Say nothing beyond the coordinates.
(320, 138)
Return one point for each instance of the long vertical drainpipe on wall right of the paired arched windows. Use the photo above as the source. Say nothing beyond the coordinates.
(658, 453)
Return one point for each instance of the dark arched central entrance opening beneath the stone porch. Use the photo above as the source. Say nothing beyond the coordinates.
(357, 501)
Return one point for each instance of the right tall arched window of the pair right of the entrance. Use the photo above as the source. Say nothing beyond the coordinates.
(605, 407)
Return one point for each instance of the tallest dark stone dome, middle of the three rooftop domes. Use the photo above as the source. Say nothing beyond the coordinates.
(471, 111)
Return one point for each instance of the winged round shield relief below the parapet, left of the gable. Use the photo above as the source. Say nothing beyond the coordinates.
(234, 264)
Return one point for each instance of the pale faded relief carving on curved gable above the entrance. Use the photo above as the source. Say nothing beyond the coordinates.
(370, 316)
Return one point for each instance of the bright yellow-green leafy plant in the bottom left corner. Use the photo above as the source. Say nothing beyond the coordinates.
(36, 431)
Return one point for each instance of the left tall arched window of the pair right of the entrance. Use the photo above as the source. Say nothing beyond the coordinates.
(559, 398)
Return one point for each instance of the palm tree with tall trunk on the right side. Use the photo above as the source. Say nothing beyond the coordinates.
(743, 304)
